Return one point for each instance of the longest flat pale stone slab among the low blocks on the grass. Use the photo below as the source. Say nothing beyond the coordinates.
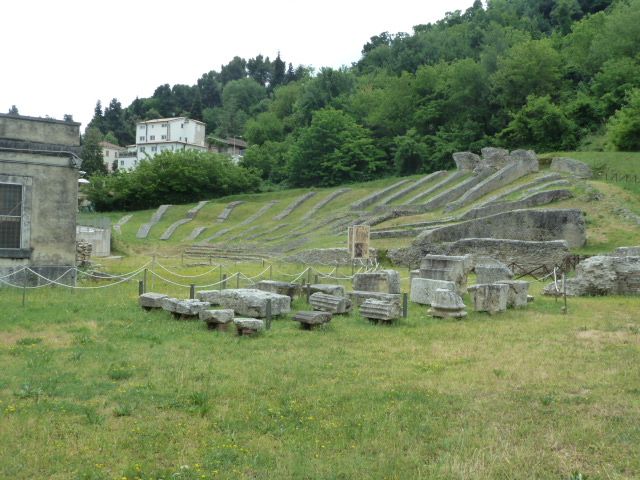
(248, 301)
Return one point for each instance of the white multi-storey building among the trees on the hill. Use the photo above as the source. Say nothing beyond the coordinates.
(172, 134)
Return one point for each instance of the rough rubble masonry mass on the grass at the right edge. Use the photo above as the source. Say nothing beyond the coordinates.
(602, 275)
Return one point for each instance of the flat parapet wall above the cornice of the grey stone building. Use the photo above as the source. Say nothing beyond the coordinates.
(41, 130)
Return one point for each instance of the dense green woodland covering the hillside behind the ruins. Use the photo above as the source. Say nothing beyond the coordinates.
(541, 74)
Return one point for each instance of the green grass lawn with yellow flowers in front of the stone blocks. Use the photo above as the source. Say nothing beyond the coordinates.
(92, 387)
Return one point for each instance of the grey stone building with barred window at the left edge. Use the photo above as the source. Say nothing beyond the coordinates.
(39, 166)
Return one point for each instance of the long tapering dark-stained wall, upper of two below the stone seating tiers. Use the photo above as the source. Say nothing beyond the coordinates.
(537, 225)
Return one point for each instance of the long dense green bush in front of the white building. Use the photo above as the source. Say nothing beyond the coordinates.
(171, 177)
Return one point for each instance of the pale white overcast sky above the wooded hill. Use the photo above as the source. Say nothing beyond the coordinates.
(60, 57)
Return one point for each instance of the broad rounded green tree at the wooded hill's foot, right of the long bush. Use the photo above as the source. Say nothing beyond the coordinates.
(334, 149)
